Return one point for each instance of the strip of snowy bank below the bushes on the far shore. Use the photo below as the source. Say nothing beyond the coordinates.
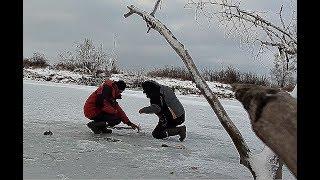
(180, 86)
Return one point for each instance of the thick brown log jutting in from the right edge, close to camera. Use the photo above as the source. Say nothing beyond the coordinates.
(273, 115)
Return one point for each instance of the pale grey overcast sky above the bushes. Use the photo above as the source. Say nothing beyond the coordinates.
(51, 26)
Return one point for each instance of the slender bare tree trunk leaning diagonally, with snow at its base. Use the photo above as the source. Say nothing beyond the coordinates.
(246, 157)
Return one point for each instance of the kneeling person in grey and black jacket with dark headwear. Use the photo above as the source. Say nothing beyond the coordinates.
(165, 104)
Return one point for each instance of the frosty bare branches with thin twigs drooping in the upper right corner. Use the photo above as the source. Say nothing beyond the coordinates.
(254, 29)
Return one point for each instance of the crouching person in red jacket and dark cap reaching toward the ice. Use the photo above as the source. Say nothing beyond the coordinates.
(102, 107)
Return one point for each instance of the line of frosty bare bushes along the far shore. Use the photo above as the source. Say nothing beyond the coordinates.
(89, 59)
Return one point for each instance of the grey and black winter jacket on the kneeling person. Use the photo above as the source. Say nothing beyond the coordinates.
(163, 100)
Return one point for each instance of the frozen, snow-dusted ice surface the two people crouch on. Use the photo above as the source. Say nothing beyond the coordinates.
(73, 152)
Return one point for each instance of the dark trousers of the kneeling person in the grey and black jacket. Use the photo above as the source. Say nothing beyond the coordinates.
(160, 131)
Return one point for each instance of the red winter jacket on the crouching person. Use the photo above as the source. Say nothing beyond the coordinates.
(109, 106)
